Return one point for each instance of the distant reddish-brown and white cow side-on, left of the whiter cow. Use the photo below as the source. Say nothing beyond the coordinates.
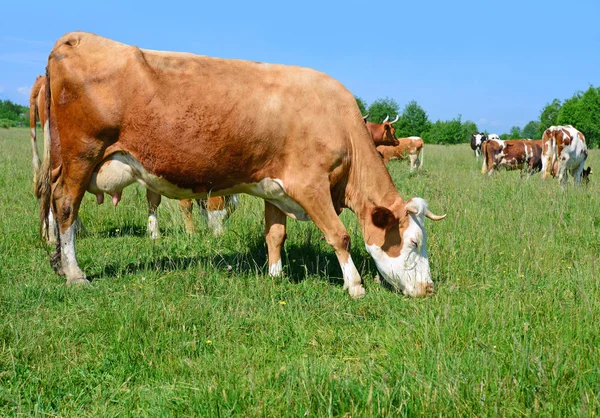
(512, 154)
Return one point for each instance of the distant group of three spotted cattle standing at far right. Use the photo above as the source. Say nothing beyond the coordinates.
(561, 150)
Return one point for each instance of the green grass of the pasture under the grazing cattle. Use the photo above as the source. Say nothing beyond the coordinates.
(166, 329)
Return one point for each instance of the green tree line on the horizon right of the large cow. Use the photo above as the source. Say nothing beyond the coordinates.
(582, 111)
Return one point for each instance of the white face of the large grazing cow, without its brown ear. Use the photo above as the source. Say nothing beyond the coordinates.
(405, 265)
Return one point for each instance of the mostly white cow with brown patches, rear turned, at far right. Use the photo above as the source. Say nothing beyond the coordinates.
(563, 150)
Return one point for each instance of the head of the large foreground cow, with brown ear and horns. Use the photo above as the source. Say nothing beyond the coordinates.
(395, 238)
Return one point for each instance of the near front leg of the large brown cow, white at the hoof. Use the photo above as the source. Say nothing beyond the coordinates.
(317, 203)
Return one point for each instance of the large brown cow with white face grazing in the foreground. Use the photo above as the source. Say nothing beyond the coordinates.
(298, 141)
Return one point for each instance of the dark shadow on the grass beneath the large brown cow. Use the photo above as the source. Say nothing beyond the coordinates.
(300, 261)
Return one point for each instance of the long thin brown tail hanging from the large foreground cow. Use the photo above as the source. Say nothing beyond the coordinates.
(43, 186)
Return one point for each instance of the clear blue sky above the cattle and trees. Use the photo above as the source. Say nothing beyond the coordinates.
(496, 63)
